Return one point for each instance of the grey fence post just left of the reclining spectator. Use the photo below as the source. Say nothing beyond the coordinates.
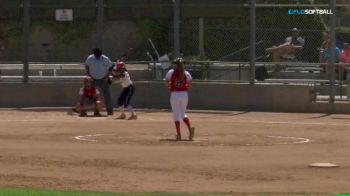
(252, 40)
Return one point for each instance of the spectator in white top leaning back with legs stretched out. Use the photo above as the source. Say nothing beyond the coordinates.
(289, 47)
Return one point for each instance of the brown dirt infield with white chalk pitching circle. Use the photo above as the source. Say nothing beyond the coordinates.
(233, 151)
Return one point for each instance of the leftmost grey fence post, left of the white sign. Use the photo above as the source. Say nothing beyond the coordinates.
(25, 39)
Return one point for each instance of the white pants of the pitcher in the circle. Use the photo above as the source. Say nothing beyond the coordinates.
(178, 101)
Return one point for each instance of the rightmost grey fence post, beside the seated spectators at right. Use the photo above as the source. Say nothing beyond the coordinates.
(333, 51)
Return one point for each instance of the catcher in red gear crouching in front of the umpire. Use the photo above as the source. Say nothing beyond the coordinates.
(88, 96)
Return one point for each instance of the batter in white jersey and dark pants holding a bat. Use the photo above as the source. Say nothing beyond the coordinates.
(128, 91)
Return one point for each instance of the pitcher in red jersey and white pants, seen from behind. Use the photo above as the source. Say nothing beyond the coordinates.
(179, 81)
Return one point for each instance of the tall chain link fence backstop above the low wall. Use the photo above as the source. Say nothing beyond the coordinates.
(214, 35)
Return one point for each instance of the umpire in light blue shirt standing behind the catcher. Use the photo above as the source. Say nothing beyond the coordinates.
(99, 68)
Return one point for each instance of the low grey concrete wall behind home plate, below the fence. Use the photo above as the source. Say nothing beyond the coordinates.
(213, 96)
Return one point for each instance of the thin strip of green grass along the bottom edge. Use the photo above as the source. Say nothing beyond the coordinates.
(34, 192)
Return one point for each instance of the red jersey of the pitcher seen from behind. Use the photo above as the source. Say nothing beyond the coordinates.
(175, 84)
